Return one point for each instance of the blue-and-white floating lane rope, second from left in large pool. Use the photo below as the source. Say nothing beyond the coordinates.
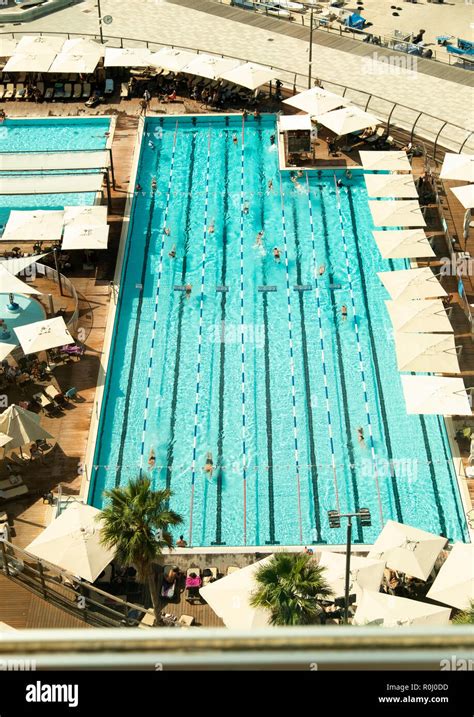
(199, 356)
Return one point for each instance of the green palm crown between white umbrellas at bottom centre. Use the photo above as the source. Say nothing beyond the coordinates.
(290, 585)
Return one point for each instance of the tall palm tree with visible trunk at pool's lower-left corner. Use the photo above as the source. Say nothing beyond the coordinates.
(135, 524)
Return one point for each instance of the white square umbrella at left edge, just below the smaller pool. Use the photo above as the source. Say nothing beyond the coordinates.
(35, 225)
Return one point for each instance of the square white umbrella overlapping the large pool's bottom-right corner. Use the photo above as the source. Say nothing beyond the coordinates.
(409, 550)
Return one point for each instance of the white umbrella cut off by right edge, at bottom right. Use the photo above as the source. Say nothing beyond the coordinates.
(454, 584)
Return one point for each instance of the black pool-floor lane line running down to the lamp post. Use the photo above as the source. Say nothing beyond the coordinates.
(342, 375)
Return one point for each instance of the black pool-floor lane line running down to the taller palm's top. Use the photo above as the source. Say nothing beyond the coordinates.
(182, 299)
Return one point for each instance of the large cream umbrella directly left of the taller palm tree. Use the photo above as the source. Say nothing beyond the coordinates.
(72, 542)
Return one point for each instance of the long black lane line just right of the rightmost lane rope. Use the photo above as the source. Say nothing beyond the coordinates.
(375, 360)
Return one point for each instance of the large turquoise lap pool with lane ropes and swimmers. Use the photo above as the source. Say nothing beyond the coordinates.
(257, 365)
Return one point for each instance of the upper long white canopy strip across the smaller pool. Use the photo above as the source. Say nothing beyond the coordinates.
(47, 161)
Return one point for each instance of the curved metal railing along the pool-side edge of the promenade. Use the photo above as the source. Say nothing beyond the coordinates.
(438, 131)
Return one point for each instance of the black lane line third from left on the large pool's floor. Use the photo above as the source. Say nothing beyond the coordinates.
(220, 429)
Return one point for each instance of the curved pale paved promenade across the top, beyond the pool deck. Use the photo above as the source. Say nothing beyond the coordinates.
(169, 23)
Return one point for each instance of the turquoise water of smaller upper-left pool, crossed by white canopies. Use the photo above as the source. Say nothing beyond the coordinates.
(44, 135)
